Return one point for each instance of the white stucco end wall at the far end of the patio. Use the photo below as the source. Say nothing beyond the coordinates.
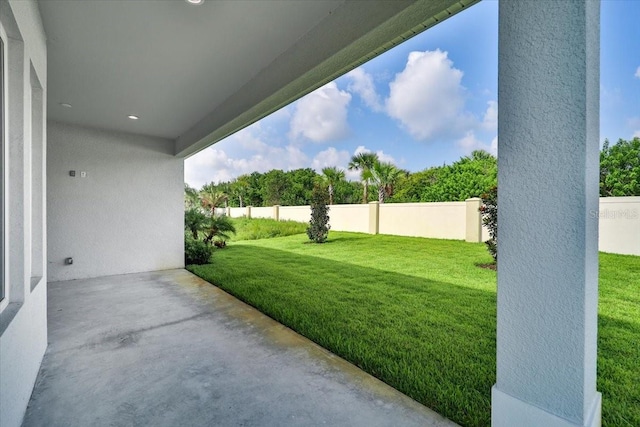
(125, 216)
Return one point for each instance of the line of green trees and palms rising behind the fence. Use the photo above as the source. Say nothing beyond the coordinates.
(470, 176)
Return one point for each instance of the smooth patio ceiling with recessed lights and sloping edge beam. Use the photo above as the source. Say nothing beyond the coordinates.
(196, 74)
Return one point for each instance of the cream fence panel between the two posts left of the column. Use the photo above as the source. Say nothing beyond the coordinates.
(435, 220)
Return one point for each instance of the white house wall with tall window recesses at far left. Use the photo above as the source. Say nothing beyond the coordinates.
(23, 311)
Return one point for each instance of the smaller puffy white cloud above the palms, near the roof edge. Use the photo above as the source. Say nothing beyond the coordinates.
(321, 115)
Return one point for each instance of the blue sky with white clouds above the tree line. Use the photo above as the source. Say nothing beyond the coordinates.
(424, 103)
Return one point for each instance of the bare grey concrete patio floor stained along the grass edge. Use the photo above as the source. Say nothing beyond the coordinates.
(169, 349)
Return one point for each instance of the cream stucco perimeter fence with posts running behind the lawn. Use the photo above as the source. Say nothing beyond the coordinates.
(619, 219)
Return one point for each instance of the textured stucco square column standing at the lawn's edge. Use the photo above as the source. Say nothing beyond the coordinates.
(548, 98)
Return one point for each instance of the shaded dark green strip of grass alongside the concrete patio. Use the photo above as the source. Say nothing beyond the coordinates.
(432, 340)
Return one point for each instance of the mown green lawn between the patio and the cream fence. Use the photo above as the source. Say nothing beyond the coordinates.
(419, 314)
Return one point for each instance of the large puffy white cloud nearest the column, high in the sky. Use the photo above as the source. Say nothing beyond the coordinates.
(427, 97)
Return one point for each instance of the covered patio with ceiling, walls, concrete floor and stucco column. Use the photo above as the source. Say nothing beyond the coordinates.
(101, 103)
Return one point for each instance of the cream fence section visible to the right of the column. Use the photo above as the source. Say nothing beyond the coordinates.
(619, 219)
